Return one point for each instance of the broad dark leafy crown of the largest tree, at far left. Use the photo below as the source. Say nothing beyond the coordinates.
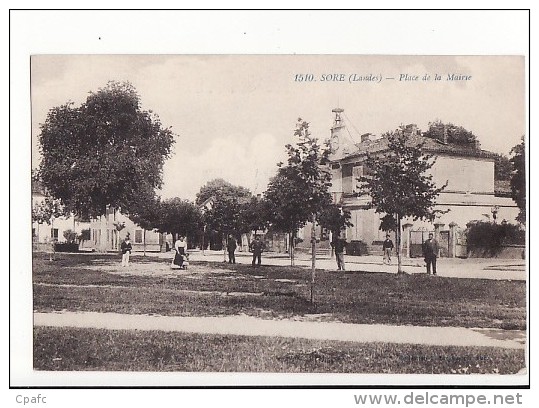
(103, 153)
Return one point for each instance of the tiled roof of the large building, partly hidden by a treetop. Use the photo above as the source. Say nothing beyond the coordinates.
(429, 145)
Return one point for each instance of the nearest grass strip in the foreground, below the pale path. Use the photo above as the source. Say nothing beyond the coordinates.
(61, 349)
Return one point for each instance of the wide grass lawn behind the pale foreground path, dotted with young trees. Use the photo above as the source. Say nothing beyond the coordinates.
(96, 283)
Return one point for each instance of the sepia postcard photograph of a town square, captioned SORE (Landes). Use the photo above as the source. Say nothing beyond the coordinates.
(279, 214)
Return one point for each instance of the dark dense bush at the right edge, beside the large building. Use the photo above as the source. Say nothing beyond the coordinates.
(490, 238)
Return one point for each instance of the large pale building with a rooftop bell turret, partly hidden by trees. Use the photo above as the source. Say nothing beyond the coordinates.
(471, 192)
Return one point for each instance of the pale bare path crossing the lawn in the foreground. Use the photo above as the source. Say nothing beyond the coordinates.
(250, 326)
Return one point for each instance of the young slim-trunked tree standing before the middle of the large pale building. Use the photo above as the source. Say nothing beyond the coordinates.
(399, 186)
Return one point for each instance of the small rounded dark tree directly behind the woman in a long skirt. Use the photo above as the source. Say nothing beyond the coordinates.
(179, 217)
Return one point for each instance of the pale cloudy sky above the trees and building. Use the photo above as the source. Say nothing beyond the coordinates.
(233, 114)
